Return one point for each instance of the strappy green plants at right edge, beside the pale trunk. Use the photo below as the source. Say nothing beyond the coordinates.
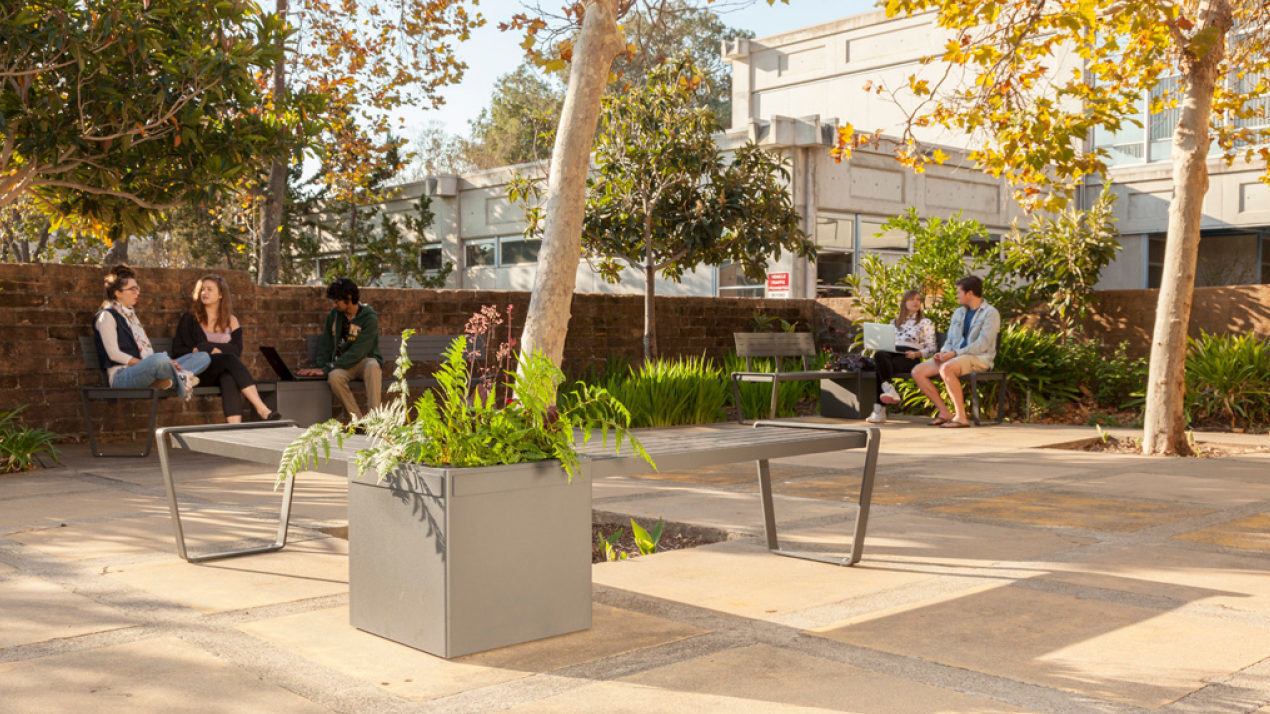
(1229, 379)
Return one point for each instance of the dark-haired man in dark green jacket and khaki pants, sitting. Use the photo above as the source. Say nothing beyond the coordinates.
(350, 347)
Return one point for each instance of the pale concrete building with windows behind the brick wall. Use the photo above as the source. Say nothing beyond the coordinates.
(791, 92)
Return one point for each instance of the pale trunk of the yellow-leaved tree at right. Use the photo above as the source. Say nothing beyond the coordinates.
(1165, 424)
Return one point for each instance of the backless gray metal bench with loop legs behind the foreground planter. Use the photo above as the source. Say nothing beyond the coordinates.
(672, 449)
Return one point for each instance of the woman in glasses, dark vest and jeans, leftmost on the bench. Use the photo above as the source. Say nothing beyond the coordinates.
(125, 350)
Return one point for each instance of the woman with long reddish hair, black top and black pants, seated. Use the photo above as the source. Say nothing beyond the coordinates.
(211, 330)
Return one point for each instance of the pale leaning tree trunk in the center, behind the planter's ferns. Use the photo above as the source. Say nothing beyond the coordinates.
(548, 321)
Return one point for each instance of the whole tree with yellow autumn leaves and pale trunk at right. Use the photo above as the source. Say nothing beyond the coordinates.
(1208, 59)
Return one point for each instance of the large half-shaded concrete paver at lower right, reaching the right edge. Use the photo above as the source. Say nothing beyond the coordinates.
(1107, 650)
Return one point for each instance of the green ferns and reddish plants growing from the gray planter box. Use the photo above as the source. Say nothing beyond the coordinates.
(486, 411)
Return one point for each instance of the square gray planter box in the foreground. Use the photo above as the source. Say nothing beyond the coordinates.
(460, 561)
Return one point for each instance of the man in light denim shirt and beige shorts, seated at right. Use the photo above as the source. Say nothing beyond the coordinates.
(971, 347)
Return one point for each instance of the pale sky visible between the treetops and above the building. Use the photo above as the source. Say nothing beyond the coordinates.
(491, 53)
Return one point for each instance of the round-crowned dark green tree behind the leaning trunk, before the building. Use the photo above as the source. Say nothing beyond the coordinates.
(664, 199)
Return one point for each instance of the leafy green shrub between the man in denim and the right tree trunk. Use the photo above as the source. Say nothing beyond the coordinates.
(1059, 261)
